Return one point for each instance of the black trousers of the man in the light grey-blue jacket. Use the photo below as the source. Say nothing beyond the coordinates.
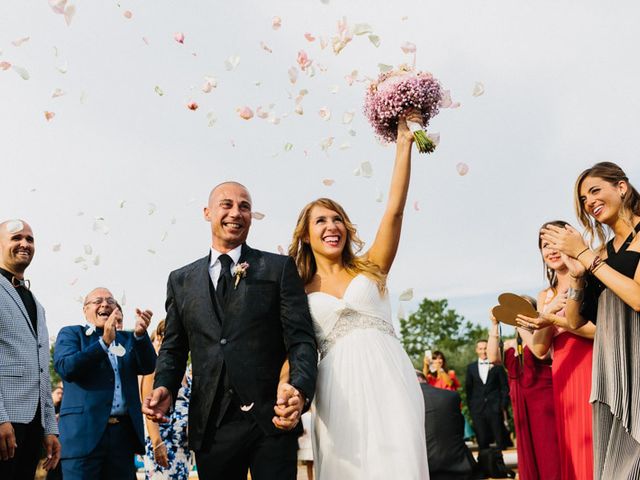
(29, 438)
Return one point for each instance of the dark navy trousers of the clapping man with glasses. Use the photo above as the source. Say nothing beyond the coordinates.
(112, 459)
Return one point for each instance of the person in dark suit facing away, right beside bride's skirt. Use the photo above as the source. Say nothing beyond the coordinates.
(449, 457)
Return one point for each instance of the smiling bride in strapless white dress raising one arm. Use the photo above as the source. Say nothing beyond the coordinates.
(369, 421)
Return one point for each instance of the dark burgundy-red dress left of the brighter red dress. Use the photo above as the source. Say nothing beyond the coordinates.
(531, 392)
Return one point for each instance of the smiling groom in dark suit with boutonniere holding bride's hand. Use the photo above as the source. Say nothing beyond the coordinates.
(241, 313)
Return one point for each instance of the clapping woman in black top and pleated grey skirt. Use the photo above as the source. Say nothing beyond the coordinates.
(604, 287)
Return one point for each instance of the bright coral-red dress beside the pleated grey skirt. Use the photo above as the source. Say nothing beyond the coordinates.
(572, 360)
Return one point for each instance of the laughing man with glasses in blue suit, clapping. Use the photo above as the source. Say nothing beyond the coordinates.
(100, 421)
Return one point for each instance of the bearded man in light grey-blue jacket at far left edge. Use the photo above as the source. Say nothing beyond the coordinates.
(27, 418)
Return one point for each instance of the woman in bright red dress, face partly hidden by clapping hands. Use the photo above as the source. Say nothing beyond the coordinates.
(571, 351)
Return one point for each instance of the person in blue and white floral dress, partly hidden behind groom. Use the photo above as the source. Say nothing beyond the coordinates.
(167, 455)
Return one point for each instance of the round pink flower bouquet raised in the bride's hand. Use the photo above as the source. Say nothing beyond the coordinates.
(393, 94)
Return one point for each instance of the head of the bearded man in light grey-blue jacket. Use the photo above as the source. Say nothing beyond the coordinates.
(17, 246)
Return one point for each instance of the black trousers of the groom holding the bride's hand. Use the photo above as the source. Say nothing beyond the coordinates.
(239, 445)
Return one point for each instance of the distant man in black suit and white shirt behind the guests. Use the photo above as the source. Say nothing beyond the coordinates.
(487, 396)
